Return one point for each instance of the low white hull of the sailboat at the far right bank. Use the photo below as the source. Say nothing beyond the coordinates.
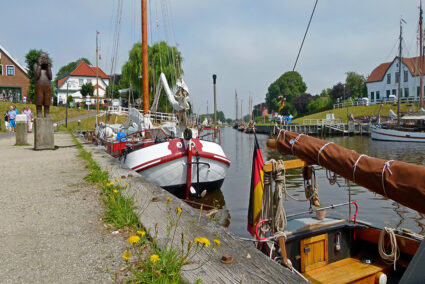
(396, 135)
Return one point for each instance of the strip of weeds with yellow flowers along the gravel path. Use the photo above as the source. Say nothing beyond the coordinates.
(145, 261)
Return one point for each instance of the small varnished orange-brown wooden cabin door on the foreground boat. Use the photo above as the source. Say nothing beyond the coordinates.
(318, 254)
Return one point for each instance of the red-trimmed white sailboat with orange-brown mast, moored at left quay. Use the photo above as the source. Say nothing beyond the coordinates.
(177, 158)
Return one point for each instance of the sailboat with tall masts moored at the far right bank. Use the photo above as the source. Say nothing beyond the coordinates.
(409, 128)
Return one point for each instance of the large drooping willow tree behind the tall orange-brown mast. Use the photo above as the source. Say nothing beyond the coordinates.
(161, 58)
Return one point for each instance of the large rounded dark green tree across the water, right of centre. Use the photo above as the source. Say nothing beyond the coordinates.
(288, 85)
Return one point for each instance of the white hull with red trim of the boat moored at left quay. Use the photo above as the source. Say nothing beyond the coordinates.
(165, 164)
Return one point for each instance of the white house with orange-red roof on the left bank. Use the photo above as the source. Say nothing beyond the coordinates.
(81, 75)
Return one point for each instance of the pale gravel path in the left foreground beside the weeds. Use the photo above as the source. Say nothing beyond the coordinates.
(50, 226)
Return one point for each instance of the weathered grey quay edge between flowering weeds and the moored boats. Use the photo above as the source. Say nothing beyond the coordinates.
(249, 265)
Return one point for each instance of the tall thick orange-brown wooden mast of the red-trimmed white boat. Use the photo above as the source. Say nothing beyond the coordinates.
(145, 74)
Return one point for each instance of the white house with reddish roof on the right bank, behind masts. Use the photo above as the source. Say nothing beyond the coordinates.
(383, 81)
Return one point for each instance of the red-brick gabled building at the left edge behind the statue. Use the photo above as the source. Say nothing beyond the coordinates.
(14, 81)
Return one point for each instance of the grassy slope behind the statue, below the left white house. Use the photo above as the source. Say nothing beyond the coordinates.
(56, 113)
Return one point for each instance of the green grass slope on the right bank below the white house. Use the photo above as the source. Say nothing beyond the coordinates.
(357, 111)
